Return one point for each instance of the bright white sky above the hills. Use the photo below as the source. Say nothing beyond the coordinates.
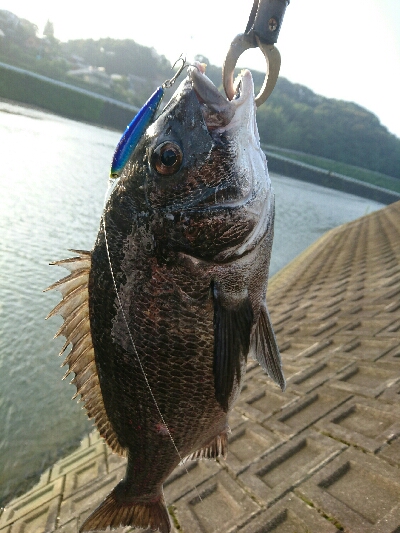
(344, 49)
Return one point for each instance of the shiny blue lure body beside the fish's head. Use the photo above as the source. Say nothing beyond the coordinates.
(134, 132)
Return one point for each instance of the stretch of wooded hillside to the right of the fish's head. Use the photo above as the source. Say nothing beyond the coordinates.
(294, 117)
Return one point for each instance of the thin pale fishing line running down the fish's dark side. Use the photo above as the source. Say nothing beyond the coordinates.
(107, 195)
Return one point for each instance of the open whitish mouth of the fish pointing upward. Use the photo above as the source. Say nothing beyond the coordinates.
(218, 112)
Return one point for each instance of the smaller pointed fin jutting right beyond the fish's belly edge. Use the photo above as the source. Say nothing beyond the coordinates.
(265, 348)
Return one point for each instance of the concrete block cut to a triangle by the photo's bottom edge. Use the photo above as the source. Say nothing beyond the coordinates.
(290, 515)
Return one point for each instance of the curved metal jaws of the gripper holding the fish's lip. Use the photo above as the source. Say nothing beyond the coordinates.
(273, 58)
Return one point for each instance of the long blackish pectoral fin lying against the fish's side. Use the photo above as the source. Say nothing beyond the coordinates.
(232, 328)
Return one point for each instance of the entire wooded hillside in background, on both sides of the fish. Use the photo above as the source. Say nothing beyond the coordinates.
(292, 118)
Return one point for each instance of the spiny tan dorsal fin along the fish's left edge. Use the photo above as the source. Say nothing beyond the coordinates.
(74, 308)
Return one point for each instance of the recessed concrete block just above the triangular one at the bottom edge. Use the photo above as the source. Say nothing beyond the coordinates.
(272, 477)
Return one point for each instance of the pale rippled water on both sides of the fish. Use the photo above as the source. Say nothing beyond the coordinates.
(53, 176)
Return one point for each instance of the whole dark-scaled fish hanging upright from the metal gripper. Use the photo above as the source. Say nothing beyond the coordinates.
(165, 310)
